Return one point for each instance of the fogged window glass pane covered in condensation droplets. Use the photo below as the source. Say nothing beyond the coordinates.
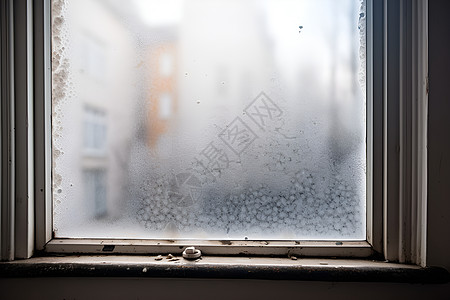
(212, 119)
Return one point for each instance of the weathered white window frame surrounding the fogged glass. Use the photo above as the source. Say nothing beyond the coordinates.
(396, 139)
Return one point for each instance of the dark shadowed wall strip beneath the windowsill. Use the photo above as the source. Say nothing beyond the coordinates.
(186, 289)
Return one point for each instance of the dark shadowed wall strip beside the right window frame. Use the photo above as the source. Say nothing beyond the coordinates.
(438, 231)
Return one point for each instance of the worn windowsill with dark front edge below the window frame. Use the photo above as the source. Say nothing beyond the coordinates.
(307, 269)
